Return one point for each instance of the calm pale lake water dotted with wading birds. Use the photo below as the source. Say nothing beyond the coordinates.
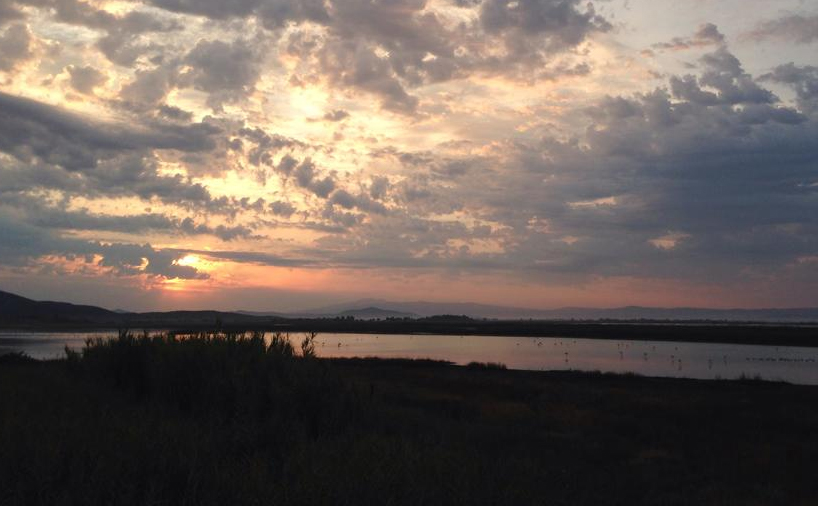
(648, 358)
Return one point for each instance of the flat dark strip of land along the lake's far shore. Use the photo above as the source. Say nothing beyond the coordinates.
(759, 334)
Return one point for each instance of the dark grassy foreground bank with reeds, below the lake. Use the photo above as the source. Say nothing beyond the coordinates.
(230, 419)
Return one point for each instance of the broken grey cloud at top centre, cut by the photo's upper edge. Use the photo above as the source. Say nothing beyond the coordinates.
(388, 48)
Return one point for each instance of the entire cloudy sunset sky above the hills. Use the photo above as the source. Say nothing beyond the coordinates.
(286, 154)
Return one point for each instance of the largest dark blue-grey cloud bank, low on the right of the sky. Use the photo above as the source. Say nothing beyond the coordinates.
(723, 177)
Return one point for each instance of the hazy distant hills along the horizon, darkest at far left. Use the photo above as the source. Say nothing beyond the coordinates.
(15, 309)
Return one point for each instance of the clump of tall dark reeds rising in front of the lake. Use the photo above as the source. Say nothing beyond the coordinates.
(223, 374)
